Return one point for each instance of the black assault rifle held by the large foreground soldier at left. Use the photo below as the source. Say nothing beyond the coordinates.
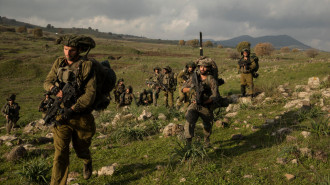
(69, 92)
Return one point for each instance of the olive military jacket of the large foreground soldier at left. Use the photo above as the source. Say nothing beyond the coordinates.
(81, 71)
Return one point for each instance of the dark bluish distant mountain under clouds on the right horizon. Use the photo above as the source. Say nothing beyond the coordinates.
(277, 41)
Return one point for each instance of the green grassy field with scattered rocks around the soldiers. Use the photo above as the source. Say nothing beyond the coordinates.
(143, 155)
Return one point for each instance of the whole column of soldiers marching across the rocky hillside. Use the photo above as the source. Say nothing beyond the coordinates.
(198, 91)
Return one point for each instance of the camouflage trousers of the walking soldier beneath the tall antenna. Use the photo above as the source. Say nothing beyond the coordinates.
(192, 115)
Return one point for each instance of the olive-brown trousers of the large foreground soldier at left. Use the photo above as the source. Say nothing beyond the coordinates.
(80, 130)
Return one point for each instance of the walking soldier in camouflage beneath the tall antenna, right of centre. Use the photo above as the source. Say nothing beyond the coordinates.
(208, 96)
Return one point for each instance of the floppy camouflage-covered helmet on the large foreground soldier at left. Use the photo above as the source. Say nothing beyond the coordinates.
(83, 43)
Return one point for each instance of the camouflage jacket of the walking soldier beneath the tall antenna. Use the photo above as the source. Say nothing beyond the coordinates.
(210, 89)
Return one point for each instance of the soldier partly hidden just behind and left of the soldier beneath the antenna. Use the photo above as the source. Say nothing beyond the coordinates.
(183, 76)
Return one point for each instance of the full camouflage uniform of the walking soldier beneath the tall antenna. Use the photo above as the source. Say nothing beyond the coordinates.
(204, 111)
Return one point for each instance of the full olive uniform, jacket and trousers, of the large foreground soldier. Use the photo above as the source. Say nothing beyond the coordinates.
(80, 127)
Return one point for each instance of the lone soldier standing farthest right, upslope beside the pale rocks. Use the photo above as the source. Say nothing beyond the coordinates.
(245, 68)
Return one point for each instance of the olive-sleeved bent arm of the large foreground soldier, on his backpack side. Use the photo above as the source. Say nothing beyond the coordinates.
(86, 99)
